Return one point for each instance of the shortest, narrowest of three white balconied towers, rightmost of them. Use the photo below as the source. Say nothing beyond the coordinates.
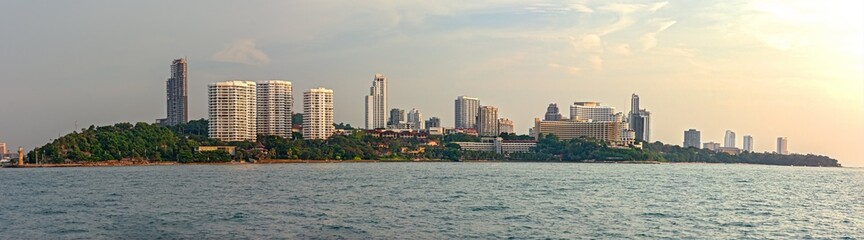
(318, 113)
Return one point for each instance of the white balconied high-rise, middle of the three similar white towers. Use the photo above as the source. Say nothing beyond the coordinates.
(275, 102)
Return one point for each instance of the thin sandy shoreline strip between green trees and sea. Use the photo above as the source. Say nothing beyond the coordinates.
(115, 163)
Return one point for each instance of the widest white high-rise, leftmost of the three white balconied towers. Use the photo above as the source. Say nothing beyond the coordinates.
(232, 111)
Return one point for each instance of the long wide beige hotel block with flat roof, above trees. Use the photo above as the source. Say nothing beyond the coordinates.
(566, 130)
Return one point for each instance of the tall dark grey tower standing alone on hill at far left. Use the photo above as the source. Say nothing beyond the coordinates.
(178, 102)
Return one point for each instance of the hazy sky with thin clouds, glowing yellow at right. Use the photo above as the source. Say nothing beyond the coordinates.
(760, 68)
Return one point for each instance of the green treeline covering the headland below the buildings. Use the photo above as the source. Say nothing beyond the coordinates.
(152, 142)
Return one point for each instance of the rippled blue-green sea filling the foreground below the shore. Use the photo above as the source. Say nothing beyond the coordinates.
(486, 200)
